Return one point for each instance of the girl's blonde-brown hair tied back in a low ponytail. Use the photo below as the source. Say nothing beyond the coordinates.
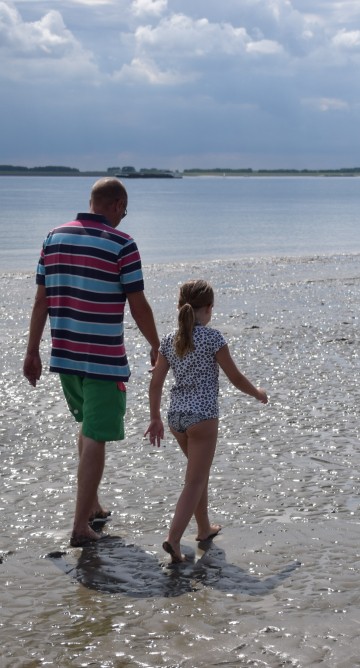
(193, 295)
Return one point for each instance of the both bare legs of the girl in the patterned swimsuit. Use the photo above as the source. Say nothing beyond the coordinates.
(198, 445)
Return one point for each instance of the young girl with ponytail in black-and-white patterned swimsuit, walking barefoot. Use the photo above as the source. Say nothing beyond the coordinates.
(194, 353)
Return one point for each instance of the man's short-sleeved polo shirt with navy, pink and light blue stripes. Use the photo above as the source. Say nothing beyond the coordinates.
(87, 268)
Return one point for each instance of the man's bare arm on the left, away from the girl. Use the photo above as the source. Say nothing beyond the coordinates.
(32, 363)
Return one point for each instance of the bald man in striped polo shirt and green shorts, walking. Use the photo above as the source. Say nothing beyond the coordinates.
(86, 272)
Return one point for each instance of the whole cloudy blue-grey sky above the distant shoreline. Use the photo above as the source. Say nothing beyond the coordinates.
(180, 84)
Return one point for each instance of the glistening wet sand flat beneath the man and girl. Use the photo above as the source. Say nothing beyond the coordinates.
(279, 585)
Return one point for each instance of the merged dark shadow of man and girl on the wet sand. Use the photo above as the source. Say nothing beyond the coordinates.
(112, 566)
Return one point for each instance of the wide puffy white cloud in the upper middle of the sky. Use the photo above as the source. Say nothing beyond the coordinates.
(178, 50)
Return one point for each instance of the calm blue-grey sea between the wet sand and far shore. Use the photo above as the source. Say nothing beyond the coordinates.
(192, 218)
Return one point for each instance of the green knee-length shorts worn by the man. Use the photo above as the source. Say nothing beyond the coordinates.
(99, 404)
